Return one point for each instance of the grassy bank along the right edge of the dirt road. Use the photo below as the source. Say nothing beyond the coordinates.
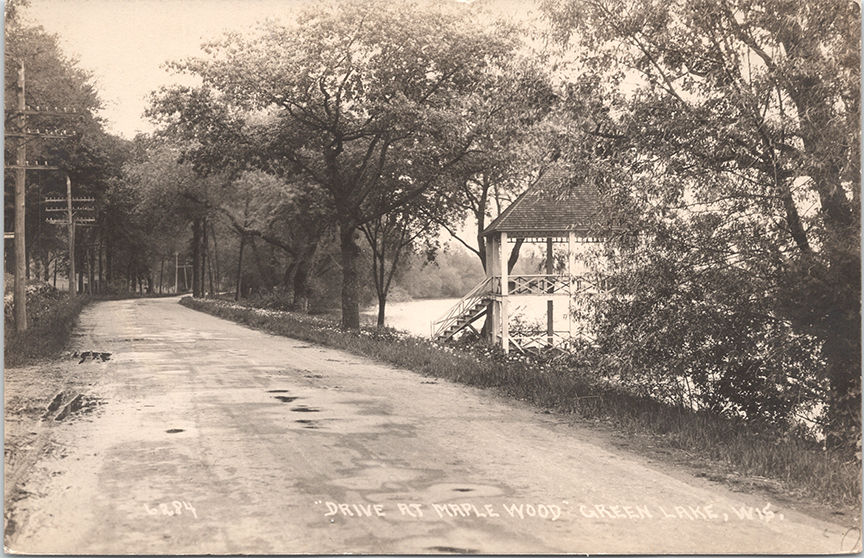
(572, 387)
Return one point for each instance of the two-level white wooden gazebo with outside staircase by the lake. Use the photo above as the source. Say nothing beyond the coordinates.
(560, 214)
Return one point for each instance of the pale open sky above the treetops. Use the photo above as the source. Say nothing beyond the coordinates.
(124, 43)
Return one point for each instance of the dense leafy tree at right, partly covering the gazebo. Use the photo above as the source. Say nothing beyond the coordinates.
(739, 128)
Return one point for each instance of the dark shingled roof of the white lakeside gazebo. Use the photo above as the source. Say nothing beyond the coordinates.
(554, 205)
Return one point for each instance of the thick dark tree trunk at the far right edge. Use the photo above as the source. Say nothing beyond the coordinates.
(837, 307)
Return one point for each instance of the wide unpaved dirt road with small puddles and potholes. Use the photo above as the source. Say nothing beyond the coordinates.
(200, 436)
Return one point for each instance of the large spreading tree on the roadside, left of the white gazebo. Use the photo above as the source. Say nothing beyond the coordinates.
(359, 91)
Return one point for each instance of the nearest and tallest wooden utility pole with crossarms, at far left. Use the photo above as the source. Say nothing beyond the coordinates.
(21, 166)
